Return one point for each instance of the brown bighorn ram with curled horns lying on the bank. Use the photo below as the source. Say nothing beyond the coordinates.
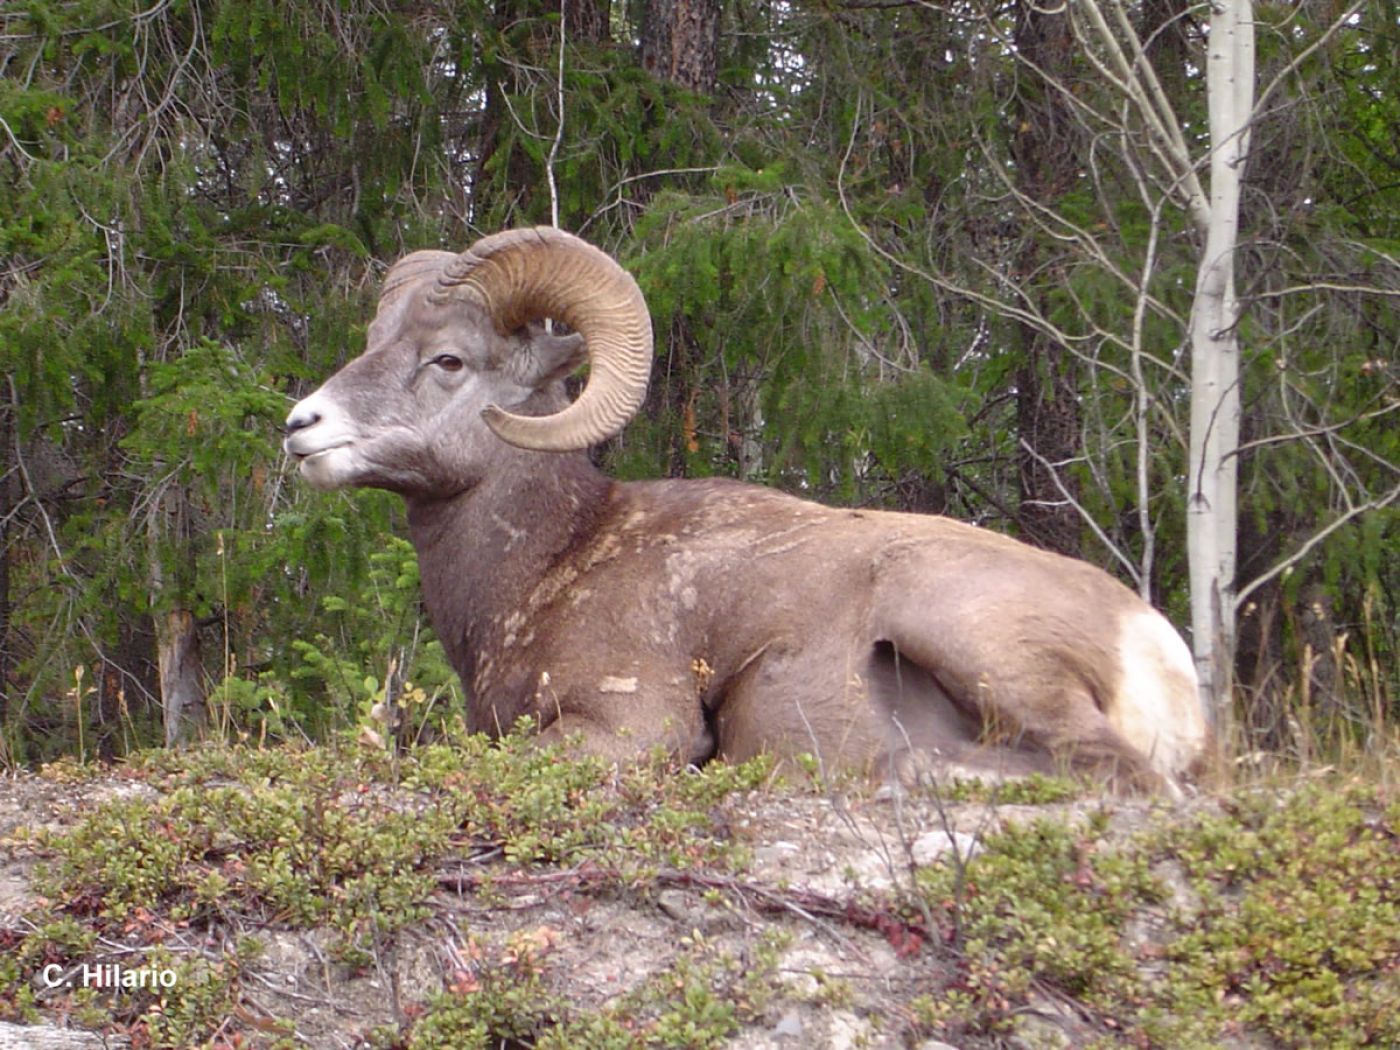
(709, 617)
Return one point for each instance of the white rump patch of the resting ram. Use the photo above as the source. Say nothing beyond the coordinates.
(1158, 703)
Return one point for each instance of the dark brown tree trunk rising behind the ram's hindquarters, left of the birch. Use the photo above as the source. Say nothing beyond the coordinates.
(1048, 393)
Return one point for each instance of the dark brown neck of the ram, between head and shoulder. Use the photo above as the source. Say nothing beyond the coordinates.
(484, 552)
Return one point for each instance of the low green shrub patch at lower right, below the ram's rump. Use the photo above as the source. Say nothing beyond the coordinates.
(1273, 915)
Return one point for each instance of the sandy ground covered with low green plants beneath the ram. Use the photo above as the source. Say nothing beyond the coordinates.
(1266, 916)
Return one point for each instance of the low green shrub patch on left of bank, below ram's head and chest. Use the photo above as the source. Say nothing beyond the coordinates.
(352, 842)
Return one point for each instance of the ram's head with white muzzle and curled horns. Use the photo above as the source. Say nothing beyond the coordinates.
(460, 362)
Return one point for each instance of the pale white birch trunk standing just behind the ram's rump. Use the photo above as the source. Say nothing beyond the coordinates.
(1216, 376)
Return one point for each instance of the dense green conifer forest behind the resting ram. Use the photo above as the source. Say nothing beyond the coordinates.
(936, 257)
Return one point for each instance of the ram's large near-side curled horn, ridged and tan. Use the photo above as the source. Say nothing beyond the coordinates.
(528, 275)
